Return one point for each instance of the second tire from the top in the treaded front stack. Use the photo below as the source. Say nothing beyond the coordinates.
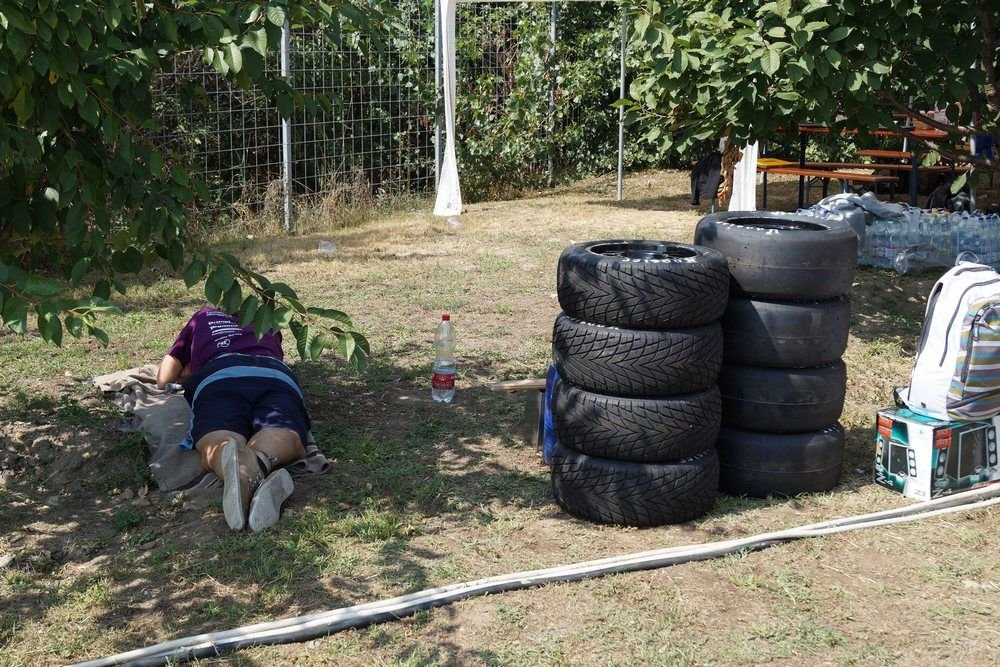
(636, 362)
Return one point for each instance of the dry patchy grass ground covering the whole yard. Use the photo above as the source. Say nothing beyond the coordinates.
(422, 495)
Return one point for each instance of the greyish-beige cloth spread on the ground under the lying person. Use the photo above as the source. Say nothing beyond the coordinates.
(163, 417)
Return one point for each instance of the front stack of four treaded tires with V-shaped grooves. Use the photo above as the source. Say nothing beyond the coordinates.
(636, 409)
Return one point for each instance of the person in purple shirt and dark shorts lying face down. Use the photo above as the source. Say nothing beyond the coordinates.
(248, 417)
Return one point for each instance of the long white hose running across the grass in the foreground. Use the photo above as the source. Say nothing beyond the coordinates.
(302, 628)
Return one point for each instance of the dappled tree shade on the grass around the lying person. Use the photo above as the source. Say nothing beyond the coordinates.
(399, 461)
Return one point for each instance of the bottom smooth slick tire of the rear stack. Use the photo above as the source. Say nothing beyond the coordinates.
(766, 464)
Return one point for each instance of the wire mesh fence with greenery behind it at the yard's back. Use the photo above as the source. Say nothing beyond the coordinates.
(528, 110)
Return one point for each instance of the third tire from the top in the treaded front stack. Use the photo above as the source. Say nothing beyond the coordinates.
(646, 430)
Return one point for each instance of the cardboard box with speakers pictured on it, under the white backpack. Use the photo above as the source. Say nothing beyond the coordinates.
(923, 457)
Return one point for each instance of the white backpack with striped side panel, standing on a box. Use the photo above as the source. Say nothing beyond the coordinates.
(956, 374)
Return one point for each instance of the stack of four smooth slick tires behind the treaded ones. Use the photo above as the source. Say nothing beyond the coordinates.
(785, 329)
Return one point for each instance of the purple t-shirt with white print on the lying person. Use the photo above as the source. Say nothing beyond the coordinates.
(211, 332)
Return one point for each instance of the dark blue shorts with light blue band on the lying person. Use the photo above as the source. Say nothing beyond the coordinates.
(244, 394)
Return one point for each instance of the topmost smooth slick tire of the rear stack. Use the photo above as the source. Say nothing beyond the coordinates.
(774, 256)
